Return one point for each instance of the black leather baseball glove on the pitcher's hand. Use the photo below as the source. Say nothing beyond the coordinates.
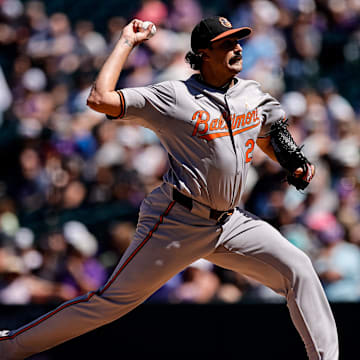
(290, 157)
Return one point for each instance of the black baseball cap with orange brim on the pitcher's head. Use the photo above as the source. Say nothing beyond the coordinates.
(214, 28)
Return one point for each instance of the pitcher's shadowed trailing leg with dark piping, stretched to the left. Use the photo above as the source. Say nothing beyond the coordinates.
(162, 247)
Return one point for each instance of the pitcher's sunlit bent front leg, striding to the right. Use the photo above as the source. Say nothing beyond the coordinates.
(254, 248)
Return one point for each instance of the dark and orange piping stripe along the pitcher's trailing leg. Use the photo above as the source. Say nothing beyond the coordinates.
(92, 293)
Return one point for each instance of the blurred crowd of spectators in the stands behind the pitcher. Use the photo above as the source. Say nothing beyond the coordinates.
(71, 181)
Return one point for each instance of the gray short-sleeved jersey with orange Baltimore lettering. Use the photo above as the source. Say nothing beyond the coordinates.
(192, 121)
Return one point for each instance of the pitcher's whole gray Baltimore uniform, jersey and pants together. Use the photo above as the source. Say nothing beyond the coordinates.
(210, 137)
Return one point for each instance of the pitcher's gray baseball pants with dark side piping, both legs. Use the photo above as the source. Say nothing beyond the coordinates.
(168, 238)
